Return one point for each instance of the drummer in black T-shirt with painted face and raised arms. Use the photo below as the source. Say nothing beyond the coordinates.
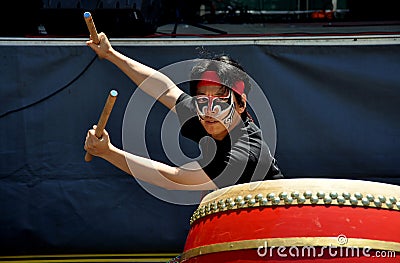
(214, 115)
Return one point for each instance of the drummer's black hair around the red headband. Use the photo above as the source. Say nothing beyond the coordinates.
(229, 72)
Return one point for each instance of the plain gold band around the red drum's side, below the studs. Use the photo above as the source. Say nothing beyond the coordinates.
(306, 242)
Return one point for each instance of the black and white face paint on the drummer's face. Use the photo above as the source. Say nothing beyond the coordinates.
(220, 108)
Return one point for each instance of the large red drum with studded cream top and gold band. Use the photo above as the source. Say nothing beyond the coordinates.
(297, 220)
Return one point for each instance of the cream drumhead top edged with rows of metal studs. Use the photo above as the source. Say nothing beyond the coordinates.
(300, 192)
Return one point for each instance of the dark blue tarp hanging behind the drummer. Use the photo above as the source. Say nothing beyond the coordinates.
(336, 109)
